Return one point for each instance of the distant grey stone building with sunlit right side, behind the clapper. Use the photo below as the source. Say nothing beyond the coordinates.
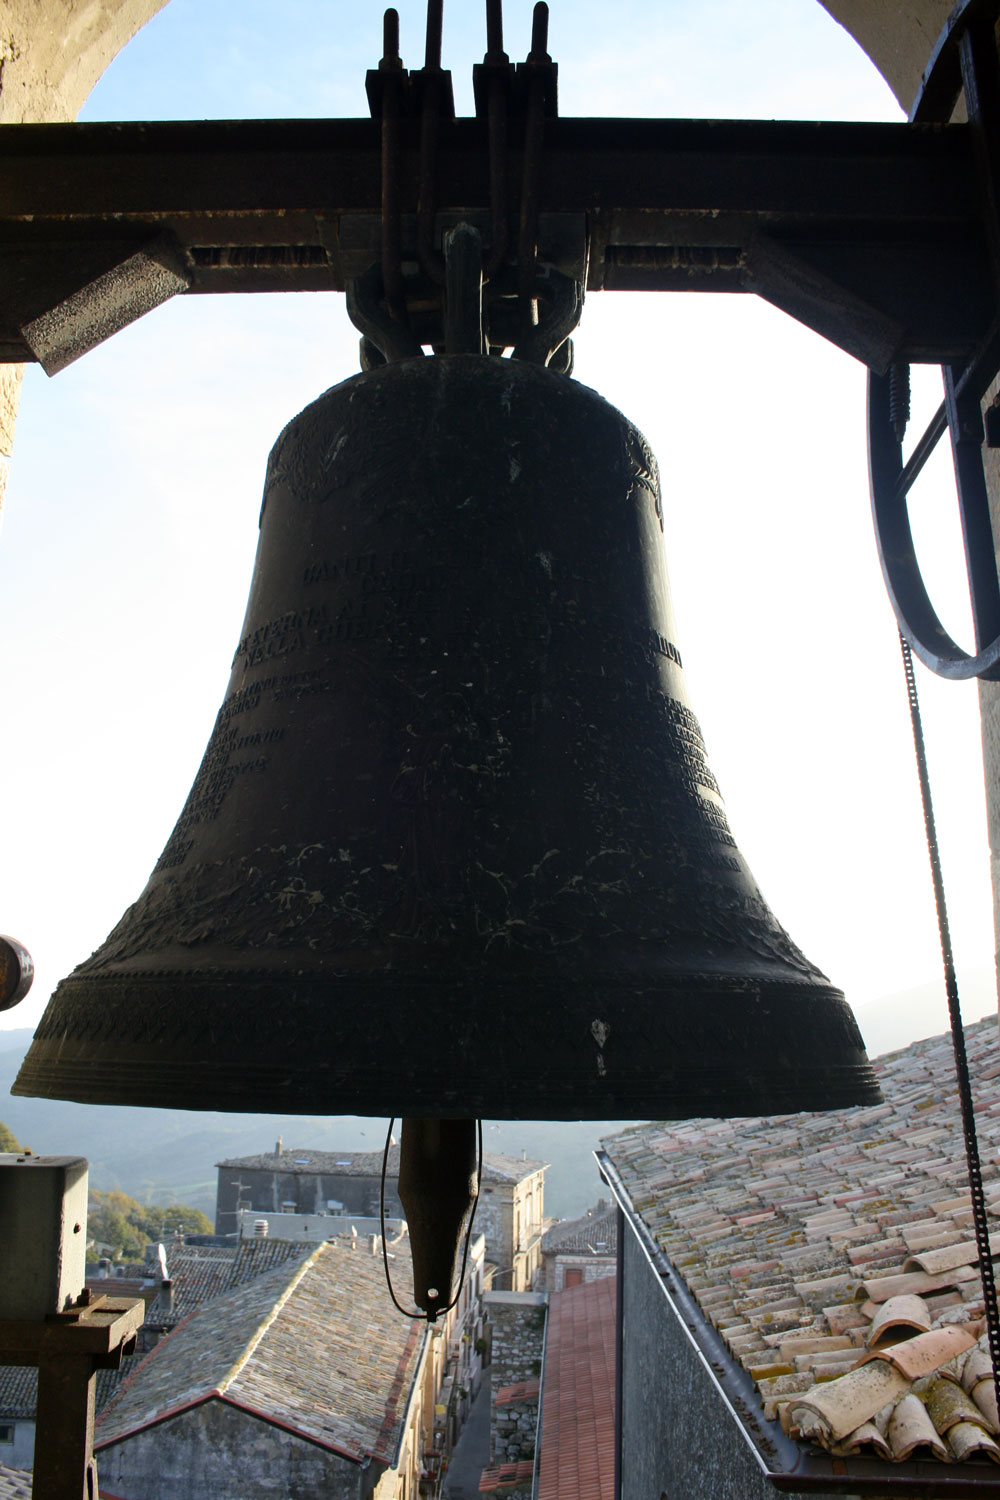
(302, 1181)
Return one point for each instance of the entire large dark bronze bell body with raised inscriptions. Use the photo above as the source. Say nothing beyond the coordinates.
(455, 848)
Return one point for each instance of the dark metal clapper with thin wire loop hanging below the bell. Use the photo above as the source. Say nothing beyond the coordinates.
(440, 1175)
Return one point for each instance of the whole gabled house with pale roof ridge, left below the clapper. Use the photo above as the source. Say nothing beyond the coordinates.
(305, 1381)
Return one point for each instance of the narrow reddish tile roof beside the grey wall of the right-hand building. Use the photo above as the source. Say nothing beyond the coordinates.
(578, 1406)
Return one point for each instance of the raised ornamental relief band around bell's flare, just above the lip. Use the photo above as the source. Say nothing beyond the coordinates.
(323, 899)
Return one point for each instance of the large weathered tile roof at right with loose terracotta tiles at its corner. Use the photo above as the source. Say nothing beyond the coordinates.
(836, 1255)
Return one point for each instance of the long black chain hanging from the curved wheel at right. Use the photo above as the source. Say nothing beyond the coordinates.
(959, 1033)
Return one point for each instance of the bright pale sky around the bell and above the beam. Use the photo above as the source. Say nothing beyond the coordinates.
(131, 518)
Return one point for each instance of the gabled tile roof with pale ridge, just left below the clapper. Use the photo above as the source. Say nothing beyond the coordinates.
(314, 1346)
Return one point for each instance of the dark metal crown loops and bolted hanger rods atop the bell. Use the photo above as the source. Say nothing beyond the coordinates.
(428, 283)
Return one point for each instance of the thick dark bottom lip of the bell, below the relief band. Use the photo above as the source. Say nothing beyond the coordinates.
(500, 1049)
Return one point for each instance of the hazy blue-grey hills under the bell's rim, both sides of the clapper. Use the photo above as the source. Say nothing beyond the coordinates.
(170, 1156)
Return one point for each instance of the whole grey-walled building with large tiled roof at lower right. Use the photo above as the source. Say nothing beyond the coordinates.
(804, 1289)
